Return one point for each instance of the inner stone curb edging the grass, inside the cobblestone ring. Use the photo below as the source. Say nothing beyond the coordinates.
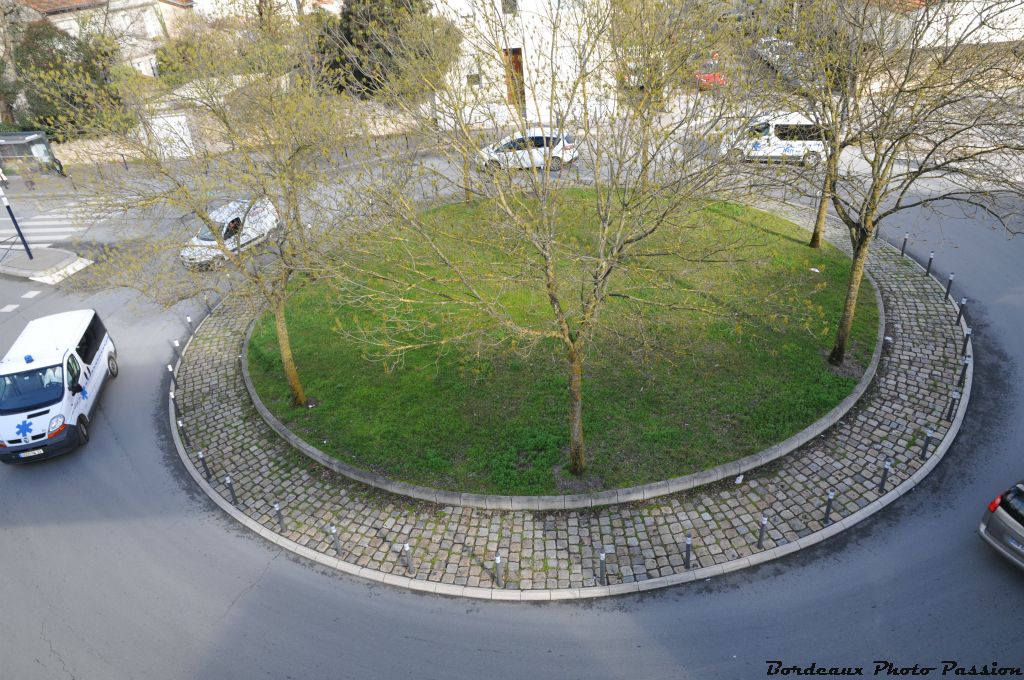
(576, 501)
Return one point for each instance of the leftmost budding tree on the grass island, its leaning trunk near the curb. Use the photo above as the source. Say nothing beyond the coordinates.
(254, 123)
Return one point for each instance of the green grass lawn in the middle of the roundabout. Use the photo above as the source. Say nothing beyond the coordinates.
(483, 418)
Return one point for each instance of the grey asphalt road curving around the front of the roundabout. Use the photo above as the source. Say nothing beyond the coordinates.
(115, 567)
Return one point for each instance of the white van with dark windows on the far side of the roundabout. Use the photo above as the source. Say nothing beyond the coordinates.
(781, 138)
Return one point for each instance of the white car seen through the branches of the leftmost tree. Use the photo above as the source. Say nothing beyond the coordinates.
(242, 226)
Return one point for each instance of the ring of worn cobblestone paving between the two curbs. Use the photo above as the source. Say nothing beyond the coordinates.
(553, 550)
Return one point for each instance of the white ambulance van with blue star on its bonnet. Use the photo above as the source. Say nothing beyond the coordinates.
(51, 380)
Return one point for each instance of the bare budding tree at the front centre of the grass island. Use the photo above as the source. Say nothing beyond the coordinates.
(551, 80)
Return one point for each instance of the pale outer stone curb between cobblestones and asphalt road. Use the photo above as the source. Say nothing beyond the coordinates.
(586, 592)
